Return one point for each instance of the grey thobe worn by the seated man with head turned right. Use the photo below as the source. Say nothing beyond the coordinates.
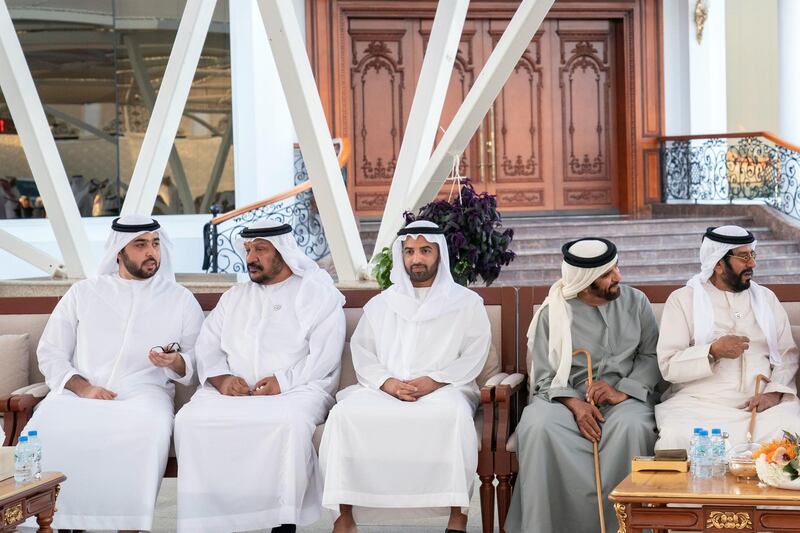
(555, 489)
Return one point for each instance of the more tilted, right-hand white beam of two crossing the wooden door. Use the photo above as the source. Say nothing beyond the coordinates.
(493, 76)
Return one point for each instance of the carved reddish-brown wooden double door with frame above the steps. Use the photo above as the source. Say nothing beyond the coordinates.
(565, 132)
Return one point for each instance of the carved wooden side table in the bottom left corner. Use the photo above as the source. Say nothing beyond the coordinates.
(35, 498)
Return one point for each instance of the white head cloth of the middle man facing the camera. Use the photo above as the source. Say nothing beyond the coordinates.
(445, 294)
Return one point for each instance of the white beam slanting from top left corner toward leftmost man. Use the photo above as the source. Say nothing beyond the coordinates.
(40, 149)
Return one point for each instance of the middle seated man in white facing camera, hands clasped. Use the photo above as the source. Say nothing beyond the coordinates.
(402, 441)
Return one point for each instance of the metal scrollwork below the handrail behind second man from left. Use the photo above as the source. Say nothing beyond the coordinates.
(300, 211)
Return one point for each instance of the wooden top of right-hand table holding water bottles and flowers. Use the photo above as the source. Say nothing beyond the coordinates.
(673, 487)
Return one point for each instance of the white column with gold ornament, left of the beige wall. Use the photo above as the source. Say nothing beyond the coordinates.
(708, 104)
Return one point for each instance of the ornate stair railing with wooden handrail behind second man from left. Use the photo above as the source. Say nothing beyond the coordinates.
(295, 206)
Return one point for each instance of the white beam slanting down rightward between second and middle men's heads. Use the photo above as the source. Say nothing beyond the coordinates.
(297, 79)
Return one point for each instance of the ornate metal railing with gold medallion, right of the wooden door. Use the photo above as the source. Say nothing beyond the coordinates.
(735, 168)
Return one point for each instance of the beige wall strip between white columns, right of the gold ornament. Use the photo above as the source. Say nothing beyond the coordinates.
(752, 65)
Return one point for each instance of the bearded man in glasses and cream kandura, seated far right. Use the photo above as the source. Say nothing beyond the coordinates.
(717, 335)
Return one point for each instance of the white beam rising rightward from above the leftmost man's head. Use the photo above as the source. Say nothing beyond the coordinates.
(168, 109)
